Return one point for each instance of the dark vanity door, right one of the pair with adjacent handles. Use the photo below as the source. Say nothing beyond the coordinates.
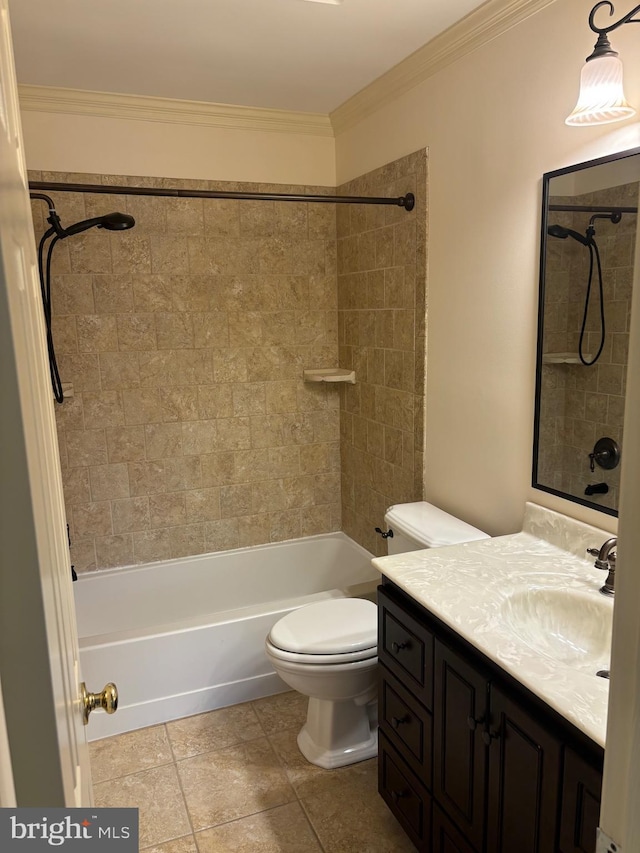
(524, 775)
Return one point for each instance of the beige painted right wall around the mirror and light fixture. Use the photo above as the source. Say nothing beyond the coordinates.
(493, 122)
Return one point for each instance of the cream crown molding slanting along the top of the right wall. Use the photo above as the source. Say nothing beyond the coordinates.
(476, 29)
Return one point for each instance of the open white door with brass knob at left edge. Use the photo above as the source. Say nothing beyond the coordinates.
(38, 643)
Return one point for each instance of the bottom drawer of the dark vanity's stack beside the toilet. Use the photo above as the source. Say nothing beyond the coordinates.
(409, 801)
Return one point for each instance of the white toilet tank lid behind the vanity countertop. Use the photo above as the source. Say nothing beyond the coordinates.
(430, 526)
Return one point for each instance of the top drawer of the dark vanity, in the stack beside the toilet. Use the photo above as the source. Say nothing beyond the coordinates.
(406, 648)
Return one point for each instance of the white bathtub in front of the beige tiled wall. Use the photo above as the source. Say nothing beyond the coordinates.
(185, 636)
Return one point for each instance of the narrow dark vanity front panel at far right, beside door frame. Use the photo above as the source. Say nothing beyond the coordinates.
(581, 789)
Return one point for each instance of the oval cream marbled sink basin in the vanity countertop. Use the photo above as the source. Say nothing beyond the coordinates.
(570, 626)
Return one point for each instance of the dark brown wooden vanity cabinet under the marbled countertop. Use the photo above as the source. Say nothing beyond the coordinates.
(469, 763)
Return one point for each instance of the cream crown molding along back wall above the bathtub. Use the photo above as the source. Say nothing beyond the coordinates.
(142, 108)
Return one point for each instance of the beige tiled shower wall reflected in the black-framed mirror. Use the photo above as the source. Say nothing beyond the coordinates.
(583, 403)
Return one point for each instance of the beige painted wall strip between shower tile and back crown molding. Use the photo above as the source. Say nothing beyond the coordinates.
(117, 146)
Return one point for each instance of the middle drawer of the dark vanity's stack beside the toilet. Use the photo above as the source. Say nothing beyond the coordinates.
(406, 724)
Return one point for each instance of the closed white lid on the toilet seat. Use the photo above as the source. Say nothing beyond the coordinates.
(328, 627)
